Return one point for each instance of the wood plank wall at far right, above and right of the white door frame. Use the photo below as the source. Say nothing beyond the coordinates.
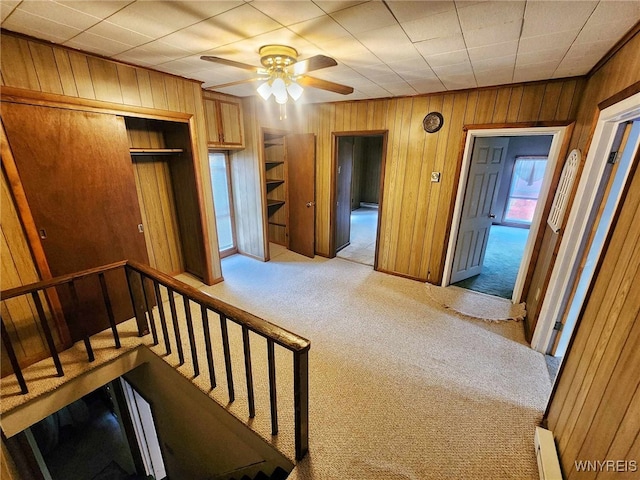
(595, 409)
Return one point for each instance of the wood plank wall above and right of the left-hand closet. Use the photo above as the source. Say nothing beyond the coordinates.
(42, 67)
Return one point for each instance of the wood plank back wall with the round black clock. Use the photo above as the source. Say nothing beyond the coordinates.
(416, 213)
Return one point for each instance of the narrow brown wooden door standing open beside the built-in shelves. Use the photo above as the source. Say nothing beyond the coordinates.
(301, 180)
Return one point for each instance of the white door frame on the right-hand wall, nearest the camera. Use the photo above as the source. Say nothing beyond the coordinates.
(568, 258)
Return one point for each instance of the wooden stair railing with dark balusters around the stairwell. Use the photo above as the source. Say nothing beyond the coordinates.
(145, 285)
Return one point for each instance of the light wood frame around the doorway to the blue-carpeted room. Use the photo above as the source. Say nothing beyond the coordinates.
(560, 133)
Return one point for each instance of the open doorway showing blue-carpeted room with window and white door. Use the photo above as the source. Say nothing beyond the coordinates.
(502, 191)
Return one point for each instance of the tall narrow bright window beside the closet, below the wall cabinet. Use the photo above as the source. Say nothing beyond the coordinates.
(222, 199)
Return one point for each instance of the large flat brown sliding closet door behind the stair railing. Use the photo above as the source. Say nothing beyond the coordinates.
(78, 178)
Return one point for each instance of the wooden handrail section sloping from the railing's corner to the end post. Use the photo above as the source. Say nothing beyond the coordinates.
(281, 336)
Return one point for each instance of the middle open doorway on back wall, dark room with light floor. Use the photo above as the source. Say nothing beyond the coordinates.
(358, 192)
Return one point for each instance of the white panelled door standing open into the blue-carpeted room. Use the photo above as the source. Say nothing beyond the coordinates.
(483, 182)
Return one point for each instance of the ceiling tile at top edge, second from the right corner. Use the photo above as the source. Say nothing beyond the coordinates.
(550, 17)
